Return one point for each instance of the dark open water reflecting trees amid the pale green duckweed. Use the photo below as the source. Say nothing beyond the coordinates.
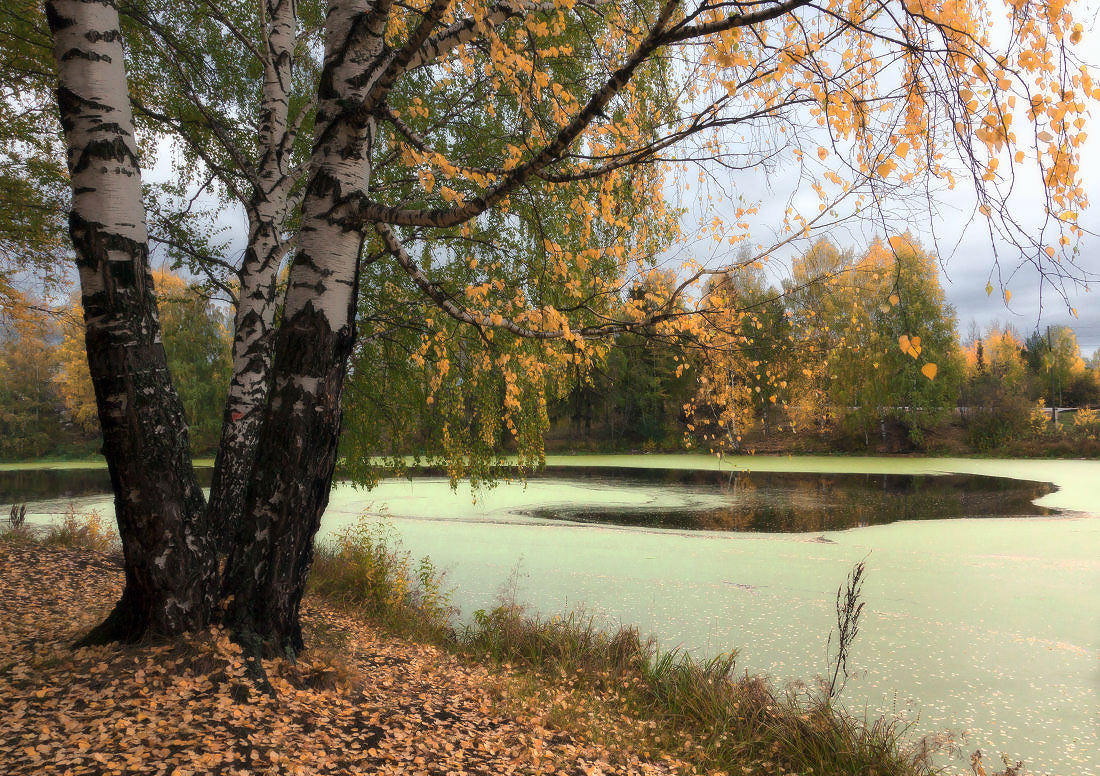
(757, 501)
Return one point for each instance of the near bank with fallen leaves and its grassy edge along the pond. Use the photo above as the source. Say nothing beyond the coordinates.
(365, 698)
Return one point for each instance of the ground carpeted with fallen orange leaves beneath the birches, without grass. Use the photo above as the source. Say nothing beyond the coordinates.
(359, 702)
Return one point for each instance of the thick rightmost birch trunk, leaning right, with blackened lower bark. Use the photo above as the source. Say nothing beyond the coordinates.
(267, 570)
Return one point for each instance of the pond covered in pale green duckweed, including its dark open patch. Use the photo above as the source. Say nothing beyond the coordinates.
(982, 605)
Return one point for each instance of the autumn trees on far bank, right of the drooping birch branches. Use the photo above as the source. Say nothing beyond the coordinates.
(851, 352)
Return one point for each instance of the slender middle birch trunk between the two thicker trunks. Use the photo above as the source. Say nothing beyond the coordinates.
(258, 300)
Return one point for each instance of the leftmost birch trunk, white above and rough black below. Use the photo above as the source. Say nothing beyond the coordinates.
(171, 573)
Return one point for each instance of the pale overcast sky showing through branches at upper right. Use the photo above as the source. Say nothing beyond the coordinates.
(970, 258)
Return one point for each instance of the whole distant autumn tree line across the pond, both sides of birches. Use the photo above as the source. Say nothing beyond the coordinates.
(835, 356)
